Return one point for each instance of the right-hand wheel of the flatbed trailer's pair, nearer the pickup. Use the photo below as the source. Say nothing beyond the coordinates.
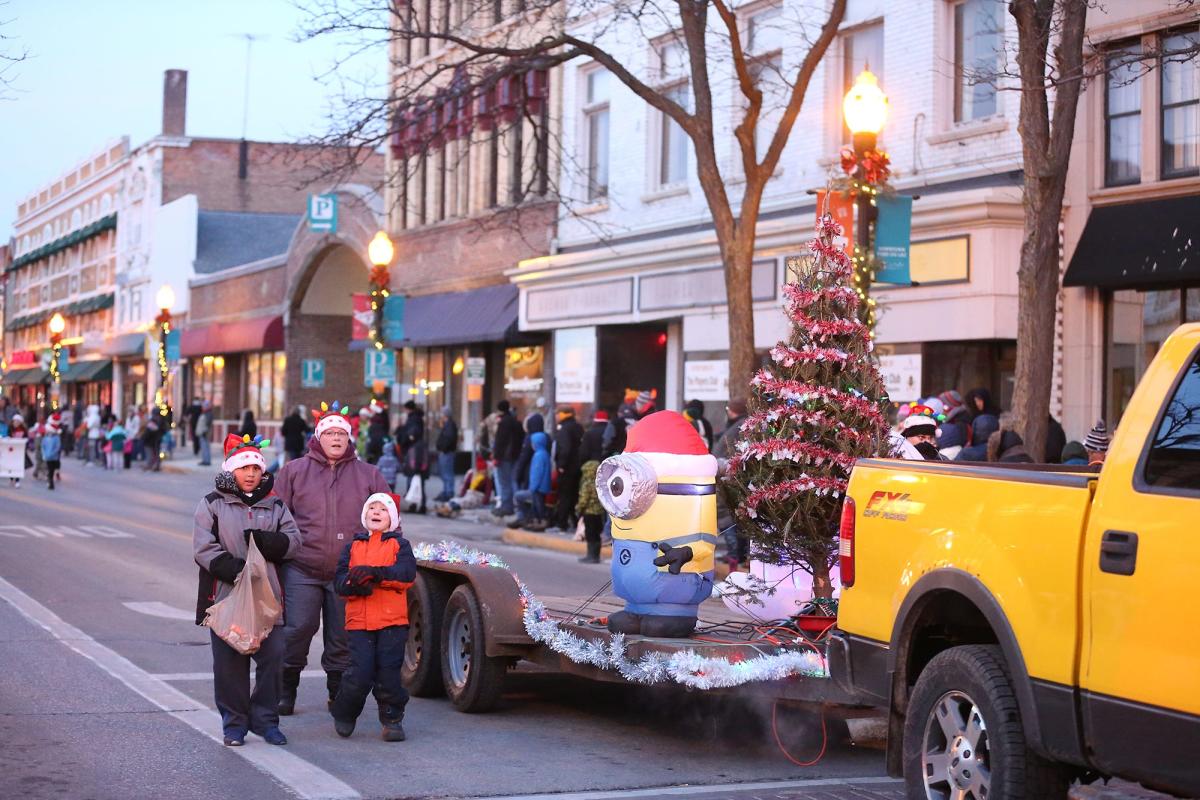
(473, 681)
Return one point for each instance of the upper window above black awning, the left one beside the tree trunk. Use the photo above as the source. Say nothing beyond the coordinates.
(1123, 118)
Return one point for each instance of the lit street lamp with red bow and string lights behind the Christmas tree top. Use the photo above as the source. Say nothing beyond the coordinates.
(866, 109)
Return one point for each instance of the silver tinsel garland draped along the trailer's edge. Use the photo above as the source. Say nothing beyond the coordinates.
(685, 667)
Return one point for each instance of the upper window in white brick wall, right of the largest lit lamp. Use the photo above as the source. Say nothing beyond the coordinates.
(979, 47)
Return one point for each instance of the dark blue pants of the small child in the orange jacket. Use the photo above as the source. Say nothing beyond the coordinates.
(376, 660)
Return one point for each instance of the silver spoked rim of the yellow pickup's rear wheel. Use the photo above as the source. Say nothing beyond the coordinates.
(956, 755)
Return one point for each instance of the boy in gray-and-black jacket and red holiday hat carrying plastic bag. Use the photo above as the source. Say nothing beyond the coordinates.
(244, 506)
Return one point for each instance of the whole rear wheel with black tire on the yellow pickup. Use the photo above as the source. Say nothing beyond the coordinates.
(963, 735)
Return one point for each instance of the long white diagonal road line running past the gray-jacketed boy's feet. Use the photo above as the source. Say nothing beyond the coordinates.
(297, 775)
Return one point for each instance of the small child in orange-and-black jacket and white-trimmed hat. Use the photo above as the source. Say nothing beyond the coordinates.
(374, 575)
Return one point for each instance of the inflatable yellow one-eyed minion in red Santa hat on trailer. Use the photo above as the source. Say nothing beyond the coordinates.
(662, 496)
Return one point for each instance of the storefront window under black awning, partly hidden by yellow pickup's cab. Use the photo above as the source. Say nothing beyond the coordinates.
(1139, 322)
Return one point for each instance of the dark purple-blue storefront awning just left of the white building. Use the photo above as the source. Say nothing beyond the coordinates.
(488, 315)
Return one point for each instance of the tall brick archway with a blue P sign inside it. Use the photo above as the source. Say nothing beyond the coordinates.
(325, 272)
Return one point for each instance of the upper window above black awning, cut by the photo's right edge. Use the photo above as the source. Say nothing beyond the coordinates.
(1181, 105)
